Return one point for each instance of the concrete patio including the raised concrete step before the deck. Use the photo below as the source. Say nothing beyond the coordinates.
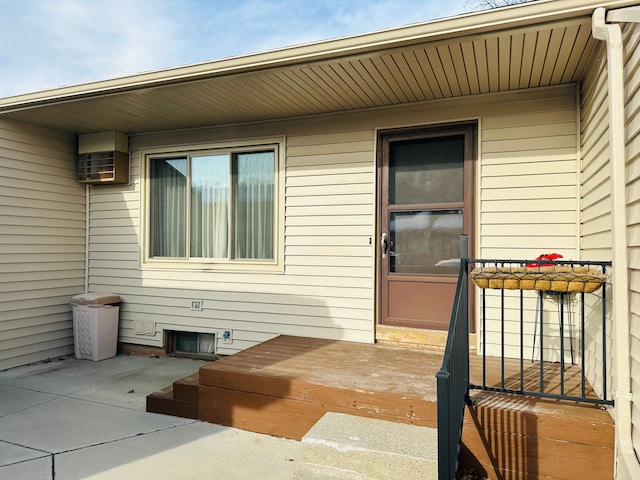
(70, 419)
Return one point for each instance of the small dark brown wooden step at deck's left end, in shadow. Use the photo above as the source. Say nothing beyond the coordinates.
(179, 399)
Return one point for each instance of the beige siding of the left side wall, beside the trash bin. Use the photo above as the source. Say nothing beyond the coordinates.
(42, 235)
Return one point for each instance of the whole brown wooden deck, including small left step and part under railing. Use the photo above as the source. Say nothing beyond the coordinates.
(283, 387)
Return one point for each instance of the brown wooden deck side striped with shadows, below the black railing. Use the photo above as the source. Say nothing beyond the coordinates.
(505, 435)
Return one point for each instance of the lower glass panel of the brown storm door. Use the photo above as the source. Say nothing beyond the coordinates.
(422, 241)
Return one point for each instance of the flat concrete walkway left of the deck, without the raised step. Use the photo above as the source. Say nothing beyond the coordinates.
(76, 419)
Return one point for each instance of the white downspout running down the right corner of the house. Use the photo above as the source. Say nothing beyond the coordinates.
(625, 454)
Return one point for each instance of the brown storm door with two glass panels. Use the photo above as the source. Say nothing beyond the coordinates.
(426, 202)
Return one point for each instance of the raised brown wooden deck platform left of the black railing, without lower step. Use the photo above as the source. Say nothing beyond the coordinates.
(284, 386)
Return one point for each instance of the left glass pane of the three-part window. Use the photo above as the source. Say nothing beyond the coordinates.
(168, 206)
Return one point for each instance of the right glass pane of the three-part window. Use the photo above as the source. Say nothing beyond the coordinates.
(254, 174)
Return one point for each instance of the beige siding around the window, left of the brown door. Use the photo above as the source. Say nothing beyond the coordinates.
(327, 288)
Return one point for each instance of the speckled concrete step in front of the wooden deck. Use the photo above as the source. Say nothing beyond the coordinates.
(359, 448)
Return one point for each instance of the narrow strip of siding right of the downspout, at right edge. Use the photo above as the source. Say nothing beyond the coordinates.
(632, 49)
